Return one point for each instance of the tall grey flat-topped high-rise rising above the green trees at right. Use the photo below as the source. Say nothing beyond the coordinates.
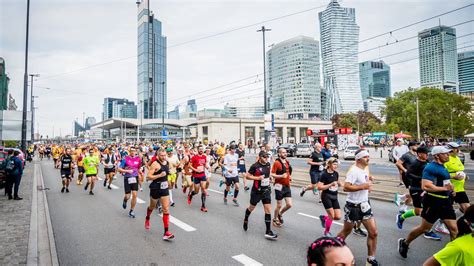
(438, 58)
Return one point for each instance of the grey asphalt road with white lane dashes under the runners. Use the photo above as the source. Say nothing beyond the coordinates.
(95, 230)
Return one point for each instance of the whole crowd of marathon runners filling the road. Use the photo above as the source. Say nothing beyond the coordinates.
(432, 187)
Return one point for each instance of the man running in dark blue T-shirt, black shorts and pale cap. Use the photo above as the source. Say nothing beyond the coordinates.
(437, 201)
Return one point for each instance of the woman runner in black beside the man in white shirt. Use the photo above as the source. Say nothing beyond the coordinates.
(329, 184)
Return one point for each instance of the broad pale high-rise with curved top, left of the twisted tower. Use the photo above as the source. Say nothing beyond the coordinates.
(294, 85)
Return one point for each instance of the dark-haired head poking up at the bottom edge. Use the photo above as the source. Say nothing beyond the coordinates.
(329, 251)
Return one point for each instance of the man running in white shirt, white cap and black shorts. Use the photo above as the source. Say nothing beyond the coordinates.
(358, 184)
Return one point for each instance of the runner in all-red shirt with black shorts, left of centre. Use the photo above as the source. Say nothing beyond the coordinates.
(197, 165)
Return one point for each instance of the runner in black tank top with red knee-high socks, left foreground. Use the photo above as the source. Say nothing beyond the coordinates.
(158, 174)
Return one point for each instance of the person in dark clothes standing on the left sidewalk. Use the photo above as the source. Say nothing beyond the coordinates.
(14, 171)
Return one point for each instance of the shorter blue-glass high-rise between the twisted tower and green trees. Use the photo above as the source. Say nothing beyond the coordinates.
(374, 79)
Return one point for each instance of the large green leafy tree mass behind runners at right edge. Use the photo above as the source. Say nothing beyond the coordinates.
(438, 111)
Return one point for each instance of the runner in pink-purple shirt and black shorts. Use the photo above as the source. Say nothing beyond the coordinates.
(130, 168)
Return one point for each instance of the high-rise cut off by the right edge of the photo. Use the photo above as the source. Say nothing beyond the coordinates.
(466, 73)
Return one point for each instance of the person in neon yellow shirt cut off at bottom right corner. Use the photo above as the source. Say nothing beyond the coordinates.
(461, 250)
